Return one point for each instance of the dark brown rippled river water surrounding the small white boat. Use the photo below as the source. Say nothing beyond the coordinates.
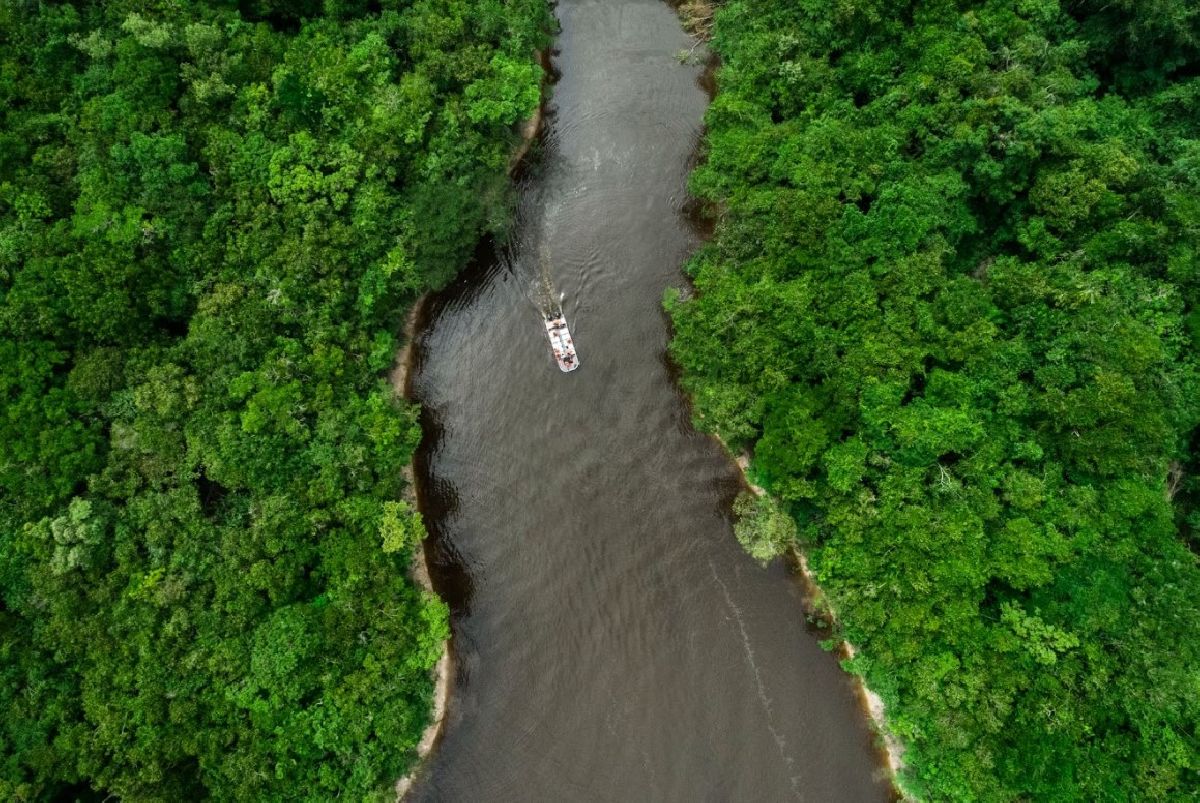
(611, 640)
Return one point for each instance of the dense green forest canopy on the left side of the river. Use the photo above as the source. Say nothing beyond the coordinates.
(212, 219)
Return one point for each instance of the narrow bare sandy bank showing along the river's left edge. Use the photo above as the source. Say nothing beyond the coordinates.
(400, 380)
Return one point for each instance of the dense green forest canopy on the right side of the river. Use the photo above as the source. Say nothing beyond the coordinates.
(952, 307)
